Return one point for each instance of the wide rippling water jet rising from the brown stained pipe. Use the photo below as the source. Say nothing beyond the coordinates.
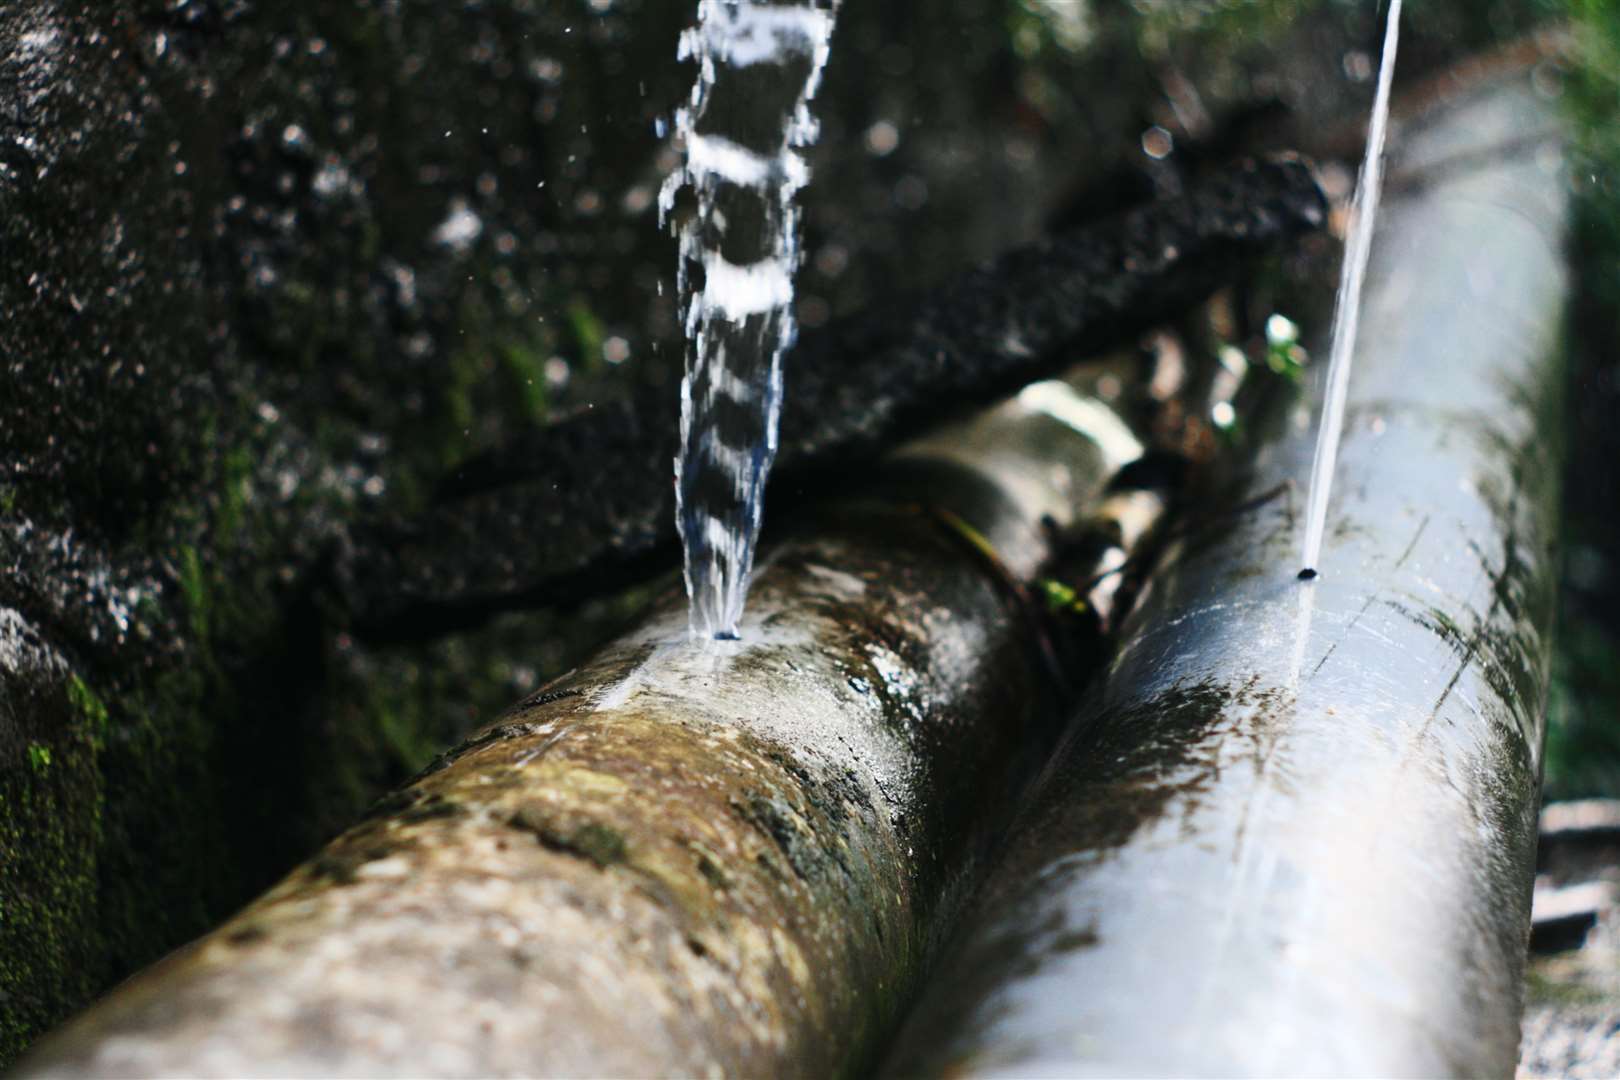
(759, 67)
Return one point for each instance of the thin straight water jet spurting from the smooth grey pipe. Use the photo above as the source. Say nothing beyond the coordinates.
(1347, 313)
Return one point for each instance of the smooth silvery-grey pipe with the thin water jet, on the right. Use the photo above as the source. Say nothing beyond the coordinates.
(1295, 835)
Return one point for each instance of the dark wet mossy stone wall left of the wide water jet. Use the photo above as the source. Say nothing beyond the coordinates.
(265, 268)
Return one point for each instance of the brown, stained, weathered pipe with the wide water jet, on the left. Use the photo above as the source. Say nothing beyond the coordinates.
(678, 861)
